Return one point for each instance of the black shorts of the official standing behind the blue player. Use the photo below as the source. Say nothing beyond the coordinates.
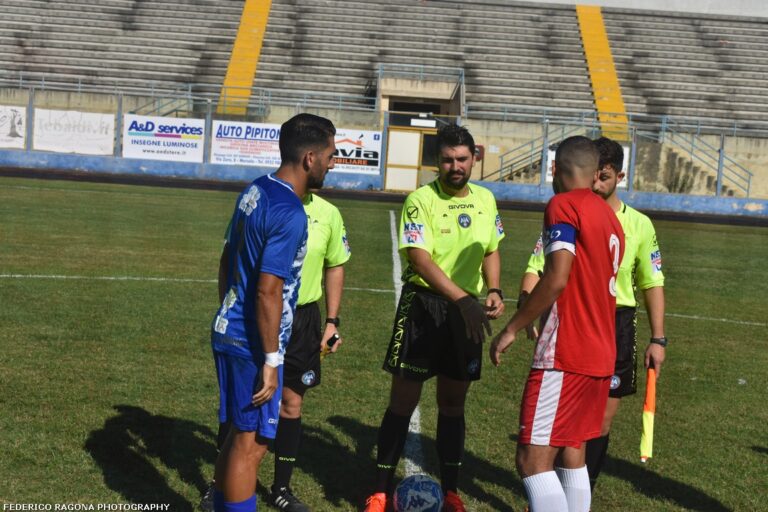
(301, 369)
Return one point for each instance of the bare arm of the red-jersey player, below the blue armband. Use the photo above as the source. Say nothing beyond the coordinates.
(546, 292)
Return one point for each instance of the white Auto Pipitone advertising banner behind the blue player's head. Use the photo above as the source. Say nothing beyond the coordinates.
(246, 144)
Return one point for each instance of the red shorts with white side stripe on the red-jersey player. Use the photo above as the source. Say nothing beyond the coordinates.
(561, 408)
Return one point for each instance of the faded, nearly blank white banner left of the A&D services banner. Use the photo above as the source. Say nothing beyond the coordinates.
(71, 131)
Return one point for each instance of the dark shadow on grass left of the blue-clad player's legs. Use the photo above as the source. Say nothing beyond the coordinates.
(130, 447)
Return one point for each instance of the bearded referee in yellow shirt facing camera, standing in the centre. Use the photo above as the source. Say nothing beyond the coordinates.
(449, 233)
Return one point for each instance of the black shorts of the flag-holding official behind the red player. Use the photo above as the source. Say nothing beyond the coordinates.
(624, 380)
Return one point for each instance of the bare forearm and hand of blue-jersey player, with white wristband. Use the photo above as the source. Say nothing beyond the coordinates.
(269, 311)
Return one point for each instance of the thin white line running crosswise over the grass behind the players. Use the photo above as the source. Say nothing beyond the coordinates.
(346, 288)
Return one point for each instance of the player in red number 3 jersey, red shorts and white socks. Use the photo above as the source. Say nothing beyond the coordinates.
(567, 388)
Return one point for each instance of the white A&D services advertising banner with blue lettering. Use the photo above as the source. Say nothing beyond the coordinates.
(163, 138)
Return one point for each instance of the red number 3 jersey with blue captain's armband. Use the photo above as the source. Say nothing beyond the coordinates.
(579, 335)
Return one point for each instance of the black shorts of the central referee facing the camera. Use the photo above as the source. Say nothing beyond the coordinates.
(429, 338)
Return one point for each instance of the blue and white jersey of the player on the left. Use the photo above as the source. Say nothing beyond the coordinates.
(268, 233)
